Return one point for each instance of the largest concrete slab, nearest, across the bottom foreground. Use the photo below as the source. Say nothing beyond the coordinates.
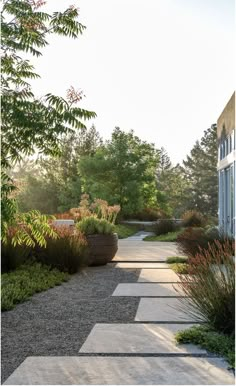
(121, 371)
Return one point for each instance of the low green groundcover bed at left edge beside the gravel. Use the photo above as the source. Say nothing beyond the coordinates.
(19, 285)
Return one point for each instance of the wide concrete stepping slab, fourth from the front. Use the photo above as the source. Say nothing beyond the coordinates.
(147, 289)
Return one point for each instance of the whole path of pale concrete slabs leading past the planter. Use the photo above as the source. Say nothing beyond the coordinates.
(138, 351)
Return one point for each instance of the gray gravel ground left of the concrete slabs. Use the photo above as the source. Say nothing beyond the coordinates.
(57, 322)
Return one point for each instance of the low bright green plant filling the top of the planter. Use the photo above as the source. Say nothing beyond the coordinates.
(93, 225)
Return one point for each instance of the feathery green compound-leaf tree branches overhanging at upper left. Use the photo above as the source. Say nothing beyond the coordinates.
(30, 123)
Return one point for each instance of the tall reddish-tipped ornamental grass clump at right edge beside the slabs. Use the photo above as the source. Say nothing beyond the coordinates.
(211, 287)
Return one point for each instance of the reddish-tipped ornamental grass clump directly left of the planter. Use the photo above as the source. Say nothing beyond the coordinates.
(66, 253)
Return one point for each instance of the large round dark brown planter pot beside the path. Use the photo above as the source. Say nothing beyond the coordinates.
(101, 248)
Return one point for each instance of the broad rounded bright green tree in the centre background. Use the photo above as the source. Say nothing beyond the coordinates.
(122, 172)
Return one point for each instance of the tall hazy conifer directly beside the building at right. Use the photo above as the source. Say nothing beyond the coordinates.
(201, 172)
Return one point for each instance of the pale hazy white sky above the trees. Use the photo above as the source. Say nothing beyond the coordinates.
(164, 68)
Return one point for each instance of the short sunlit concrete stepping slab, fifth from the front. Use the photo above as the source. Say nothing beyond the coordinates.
(155, 275)
